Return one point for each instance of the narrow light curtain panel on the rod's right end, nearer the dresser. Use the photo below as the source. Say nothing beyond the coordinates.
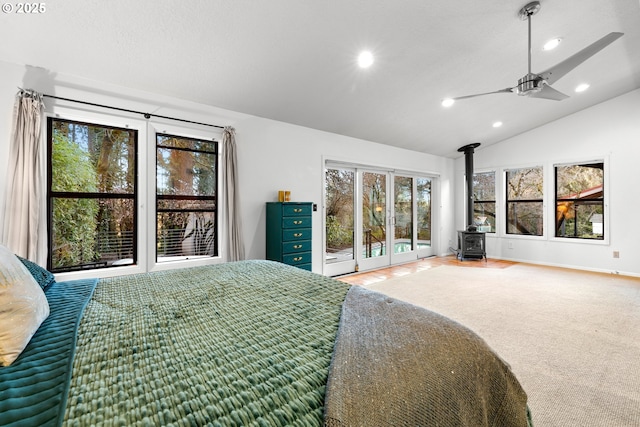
(235, 243)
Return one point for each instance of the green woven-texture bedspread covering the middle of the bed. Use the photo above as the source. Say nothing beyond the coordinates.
(246, 343)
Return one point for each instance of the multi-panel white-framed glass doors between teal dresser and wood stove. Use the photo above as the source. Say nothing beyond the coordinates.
(375, 218)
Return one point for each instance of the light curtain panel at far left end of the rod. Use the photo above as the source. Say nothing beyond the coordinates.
(25, 200)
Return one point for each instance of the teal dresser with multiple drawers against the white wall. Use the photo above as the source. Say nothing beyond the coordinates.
(289, 233)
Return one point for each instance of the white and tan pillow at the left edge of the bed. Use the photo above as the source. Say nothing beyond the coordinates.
(23, 306)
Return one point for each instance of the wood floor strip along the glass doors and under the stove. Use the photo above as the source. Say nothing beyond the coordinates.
(373, 276)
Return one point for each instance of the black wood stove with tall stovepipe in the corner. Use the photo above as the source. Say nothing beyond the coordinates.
(471, 243)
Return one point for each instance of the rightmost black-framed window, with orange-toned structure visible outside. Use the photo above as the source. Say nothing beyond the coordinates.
(580, 200)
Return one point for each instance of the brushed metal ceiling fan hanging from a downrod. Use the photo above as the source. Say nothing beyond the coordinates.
(538, 85)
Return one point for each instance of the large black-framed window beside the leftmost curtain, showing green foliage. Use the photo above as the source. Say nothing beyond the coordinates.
(92, 193)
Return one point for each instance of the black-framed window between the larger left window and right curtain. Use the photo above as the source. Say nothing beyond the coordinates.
(186, 187)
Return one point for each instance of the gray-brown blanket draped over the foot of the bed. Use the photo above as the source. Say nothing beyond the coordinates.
(388, 369)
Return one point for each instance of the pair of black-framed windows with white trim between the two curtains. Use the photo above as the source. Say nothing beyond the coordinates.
(100, 180)
